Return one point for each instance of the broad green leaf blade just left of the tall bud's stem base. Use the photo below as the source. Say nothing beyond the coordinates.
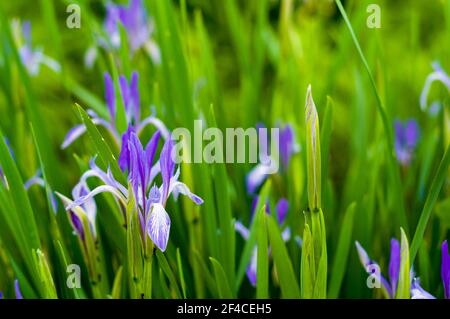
(283, 264)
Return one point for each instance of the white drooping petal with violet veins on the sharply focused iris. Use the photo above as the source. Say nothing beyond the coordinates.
(159, 226)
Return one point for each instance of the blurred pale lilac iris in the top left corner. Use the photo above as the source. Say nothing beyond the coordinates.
(31, 58)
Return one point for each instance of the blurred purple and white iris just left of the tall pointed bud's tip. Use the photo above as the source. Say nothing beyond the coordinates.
(287, 147)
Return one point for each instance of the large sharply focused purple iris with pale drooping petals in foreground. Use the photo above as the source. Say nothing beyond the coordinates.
(150, 199)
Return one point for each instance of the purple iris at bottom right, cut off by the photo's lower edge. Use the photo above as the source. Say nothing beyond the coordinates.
(390, 286)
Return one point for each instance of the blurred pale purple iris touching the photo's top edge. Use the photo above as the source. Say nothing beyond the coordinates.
(137, 25)
